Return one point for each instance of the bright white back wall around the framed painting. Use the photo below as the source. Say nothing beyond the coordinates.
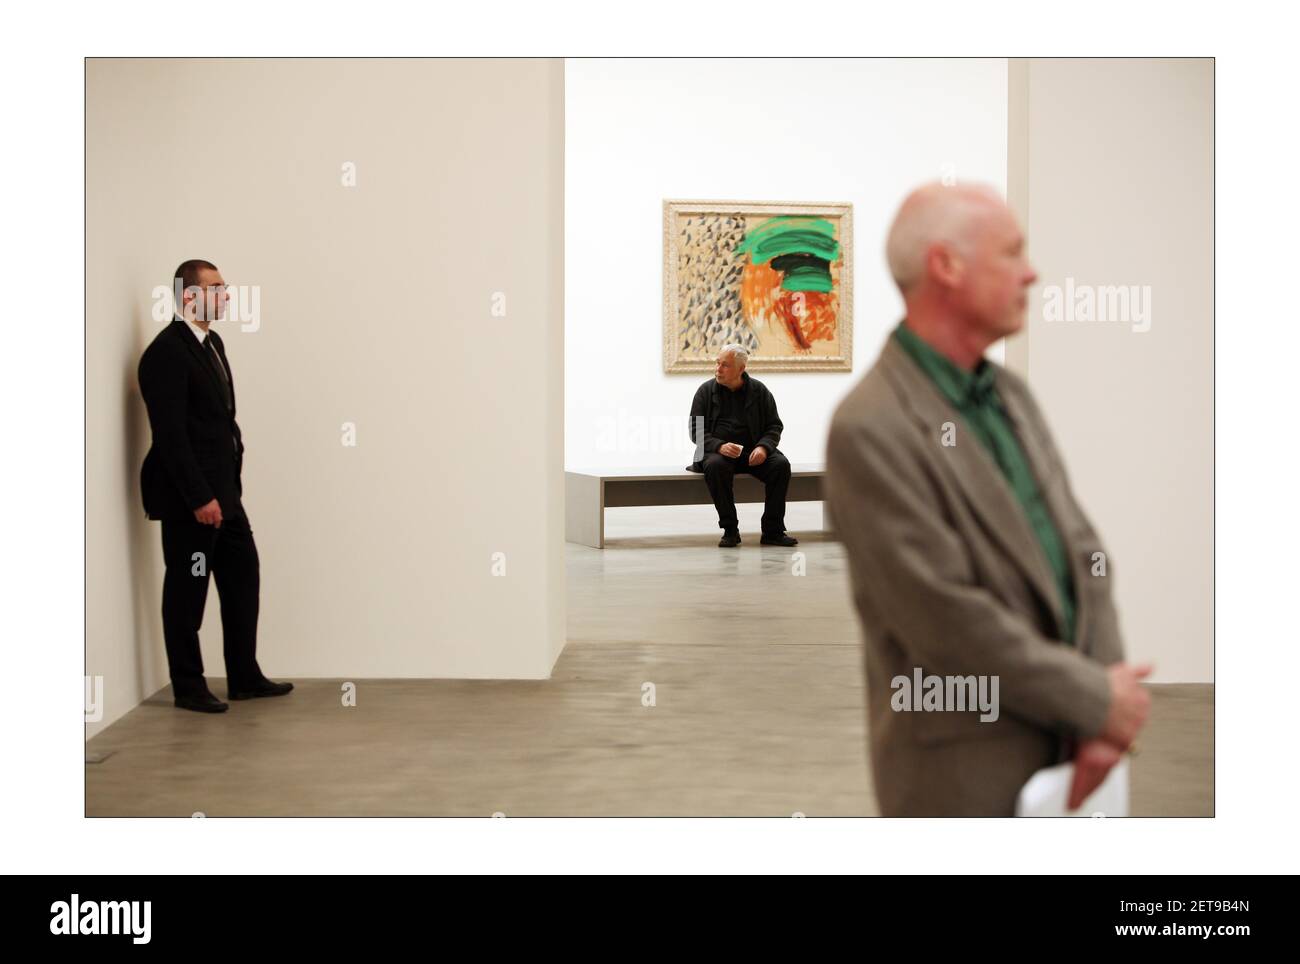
(640, 132)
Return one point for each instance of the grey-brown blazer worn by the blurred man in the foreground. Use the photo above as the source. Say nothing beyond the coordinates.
(947, 576)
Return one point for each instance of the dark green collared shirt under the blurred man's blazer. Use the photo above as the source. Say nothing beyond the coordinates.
(974, 396)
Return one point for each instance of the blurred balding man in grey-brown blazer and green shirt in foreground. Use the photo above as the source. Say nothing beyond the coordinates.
(969, 555)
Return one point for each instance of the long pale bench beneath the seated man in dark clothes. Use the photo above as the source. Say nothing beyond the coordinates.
(588, 493)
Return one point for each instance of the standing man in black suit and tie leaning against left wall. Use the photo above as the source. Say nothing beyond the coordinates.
(190, 483)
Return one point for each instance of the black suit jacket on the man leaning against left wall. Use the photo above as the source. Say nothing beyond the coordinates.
(198, 453)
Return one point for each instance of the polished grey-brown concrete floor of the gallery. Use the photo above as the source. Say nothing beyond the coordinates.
(759, 709)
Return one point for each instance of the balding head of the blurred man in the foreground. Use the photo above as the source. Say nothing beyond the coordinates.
(957, 255)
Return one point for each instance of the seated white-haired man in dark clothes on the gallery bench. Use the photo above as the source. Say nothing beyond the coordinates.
(736, 418)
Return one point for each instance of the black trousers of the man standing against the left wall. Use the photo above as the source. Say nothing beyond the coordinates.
(231, 554)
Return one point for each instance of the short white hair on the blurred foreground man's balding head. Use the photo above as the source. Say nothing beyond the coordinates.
(935, 214)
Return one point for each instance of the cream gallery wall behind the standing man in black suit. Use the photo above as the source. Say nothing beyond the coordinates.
(380, 307)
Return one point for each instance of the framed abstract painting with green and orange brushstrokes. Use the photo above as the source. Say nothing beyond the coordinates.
(774, 277)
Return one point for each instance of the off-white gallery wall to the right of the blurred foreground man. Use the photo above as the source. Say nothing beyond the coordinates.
(1119, 184)
